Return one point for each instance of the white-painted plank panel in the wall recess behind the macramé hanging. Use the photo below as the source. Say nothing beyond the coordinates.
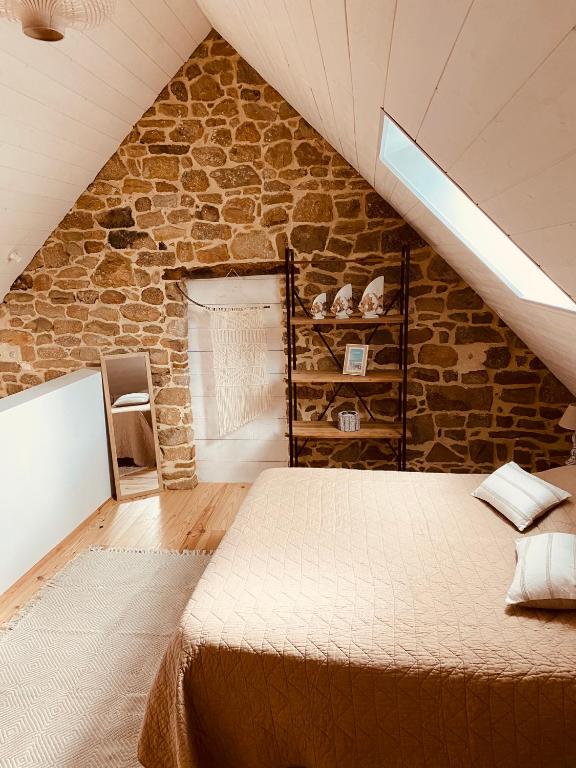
(243, 454)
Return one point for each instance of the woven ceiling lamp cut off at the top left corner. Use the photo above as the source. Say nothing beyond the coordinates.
(48, 19)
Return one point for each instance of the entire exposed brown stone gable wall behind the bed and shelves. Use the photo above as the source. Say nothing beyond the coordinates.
(222, 170)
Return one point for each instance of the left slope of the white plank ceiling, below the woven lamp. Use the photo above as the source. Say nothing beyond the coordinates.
(65, 107)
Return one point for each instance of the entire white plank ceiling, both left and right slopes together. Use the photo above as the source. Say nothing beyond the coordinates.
(486, 87)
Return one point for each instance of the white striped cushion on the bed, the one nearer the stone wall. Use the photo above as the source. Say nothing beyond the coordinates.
(518, 495)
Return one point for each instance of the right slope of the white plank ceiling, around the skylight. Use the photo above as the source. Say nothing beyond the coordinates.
(487, 88)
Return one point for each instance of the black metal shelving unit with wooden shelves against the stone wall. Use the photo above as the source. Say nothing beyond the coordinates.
(392, 434)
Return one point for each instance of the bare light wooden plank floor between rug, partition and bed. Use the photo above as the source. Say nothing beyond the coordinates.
(172, 520)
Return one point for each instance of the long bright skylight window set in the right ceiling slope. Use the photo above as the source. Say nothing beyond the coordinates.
(463, 217)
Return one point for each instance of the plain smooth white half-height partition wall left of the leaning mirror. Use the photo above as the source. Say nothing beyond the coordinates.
(54, 469)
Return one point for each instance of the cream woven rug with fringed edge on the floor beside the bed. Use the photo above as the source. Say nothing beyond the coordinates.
(76, 666)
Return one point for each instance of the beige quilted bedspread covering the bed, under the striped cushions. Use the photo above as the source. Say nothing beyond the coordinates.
(356, 619)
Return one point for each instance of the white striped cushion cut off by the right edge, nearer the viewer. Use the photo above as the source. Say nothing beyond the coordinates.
(545, 574)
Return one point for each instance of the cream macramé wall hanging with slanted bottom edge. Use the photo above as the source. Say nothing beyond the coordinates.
(239, 346)
